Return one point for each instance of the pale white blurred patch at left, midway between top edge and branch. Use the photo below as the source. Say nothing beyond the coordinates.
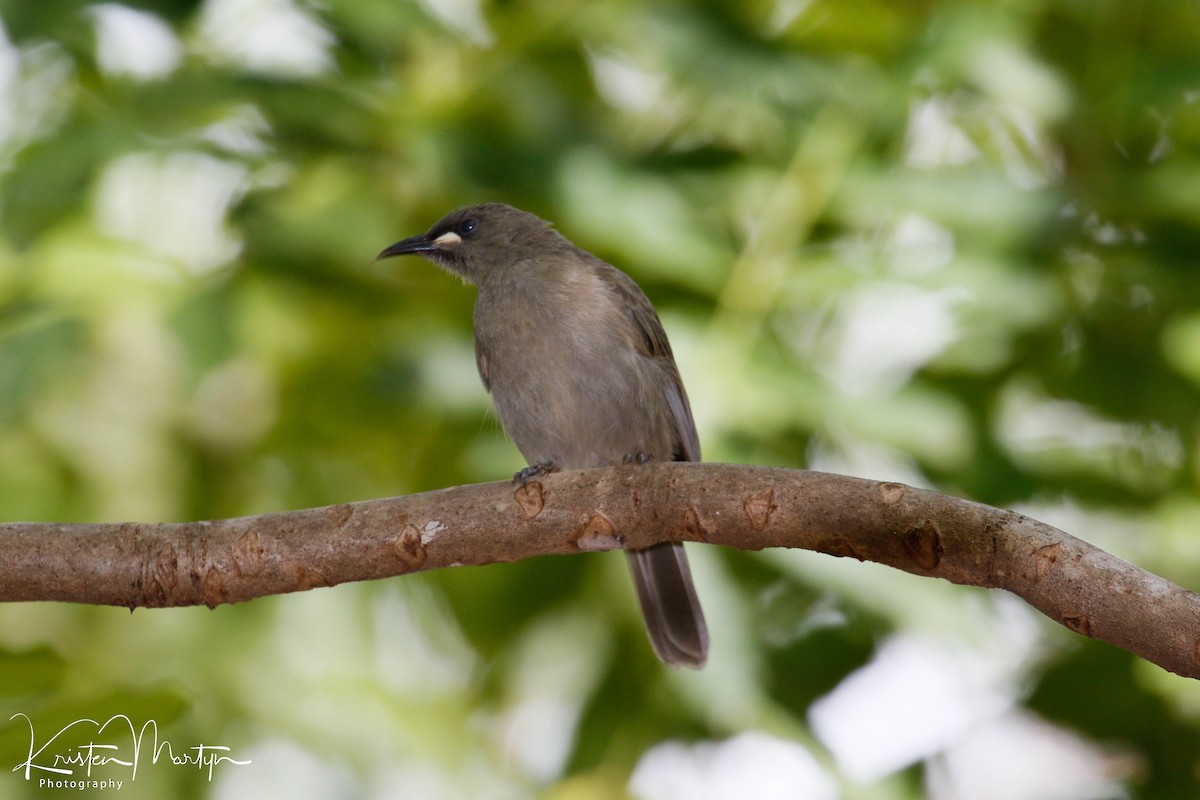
(173, 204)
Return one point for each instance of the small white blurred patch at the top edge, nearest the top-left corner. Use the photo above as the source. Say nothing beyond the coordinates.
(135, 44)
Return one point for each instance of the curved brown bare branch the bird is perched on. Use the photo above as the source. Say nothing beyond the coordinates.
(749, 508)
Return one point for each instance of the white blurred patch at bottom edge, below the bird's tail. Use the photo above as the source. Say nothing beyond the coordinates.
(752, 765)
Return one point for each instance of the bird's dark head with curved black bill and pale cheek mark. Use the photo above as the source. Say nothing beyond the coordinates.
(481, 240)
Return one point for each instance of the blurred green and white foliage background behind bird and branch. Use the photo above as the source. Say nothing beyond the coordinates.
(947, 243)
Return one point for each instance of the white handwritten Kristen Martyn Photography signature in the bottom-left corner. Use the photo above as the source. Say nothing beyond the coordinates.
(91, 755)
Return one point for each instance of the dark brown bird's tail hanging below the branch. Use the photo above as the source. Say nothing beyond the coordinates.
(674, 618)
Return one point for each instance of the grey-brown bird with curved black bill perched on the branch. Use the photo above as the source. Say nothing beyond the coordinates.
(581, 375)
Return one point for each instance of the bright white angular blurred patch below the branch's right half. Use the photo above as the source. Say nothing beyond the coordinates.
(916, 699)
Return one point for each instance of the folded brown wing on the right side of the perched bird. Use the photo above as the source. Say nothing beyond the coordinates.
(644, 332)
